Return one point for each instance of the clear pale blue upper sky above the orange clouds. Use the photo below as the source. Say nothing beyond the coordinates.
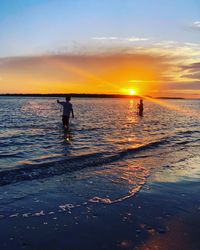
(29, 27)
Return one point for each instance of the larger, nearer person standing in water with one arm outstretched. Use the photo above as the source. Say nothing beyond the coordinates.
(67, 110)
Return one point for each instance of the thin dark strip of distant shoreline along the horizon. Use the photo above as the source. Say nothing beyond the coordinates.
(88, 96)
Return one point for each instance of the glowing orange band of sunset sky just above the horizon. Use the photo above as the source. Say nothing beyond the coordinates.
(148, 73)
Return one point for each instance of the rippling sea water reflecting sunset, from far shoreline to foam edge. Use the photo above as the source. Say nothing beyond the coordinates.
(109, 152)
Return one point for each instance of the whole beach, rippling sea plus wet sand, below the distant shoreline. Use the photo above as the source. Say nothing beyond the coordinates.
(120, 182)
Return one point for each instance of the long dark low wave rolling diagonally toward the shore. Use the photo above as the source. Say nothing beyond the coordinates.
(44, 170)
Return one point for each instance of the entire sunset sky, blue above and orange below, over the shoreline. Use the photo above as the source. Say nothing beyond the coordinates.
(107, 46)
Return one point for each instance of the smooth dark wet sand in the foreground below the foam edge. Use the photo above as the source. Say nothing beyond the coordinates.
(163, 215)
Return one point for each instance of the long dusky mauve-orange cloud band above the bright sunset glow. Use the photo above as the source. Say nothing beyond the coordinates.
(105, 64)
